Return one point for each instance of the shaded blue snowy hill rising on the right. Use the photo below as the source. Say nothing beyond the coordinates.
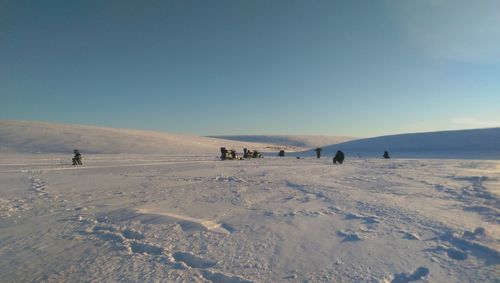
(475, 144)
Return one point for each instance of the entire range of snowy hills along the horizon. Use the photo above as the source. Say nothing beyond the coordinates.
(43, 137)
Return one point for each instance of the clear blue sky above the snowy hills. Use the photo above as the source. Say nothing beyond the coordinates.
(360, 68)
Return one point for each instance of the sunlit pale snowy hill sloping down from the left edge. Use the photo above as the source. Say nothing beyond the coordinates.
(29, 137)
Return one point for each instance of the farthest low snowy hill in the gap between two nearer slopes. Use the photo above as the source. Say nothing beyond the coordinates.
(304, 141)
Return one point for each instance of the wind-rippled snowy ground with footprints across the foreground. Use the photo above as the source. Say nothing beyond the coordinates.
(139, 218)
